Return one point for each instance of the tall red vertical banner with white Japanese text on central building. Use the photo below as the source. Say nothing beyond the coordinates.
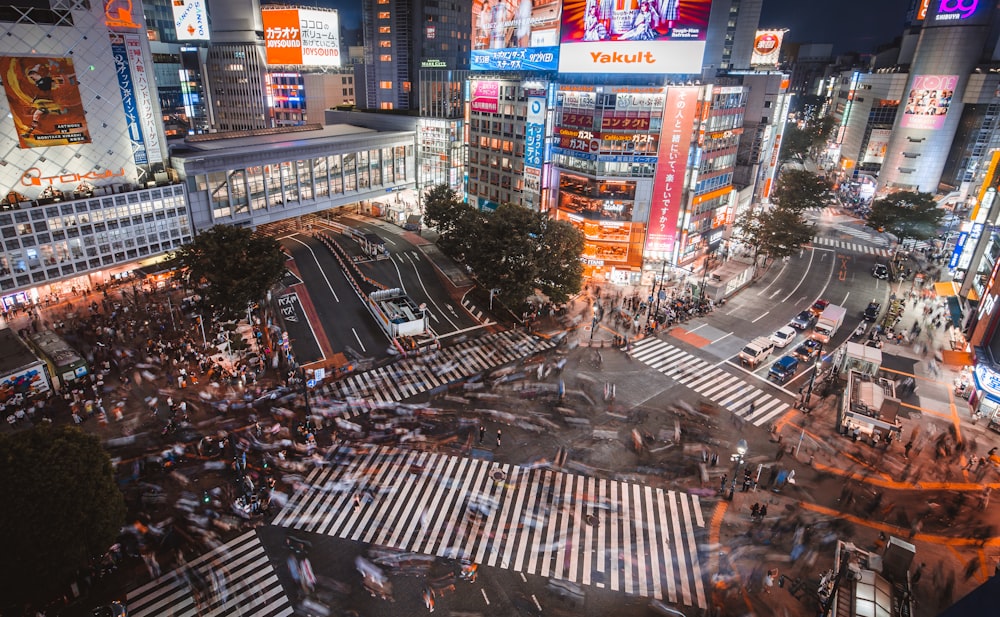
(671, 161)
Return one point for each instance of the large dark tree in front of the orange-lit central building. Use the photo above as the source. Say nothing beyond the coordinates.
(518, 251)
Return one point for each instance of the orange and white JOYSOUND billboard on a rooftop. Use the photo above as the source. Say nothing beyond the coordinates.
(303, 37)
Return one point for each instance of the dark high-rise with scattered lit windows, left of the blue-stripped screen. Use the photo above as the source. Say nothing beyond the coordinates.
(401, 37)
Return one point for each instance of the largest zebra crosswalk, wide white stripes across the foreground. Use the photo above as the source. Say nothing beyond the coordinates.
(609, 534)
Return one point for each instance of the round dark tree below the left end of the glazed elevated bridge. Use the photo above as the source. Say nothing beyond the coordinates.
(231, 268)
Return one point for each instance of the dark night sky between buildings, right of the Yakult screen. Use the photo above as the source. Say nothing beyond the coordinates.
(851, 25)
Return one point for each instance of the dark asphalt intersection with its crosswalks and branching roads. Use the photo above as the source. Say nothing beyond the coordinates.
(581, 479)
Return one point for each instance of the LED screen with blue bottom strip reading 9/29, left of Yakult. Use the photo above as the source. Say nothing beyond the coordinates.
(515, 35)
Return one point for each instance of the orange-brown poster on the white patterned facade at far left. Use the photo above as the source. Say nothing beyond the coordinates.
(44, 99)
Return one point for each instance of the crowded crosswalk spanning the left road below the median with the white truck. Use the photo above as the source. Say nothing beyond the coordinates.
(411, 376)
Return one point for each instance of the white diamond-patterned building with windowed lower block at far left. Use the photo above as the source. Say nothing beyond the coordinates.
(87, 190)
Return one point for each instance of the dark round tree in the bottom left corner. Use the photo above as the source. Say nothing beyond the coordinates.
(64, 507)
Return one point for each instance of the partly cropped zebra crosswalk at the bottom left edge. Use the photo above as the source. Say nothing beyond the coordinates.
(234, 579)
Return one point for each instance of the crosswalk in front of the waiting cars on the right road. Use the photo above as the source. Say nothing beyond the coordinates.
(709, 380)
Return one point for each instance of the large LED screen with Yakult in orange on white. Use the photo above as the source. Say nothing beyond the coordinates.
(633, 36)
